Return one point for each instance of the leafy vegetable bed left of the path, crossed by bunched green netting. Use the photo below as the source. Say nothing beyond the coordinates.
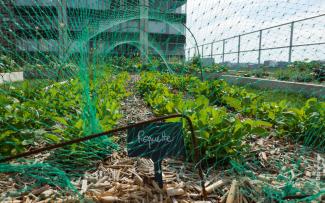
(33, 114)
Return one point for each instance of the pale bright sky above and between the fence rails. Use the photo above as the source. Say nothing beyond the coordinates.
(213, 20)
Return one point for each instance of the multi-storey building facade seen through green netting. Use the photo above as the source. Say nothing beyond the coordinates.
(104, 27)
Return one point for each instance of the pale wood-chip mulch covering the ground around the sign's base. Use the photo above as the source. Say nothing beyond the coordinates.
(124, 179)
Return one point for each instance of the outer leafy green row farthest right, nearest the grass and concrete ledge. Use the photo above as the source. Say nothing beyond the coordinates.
(287, 120)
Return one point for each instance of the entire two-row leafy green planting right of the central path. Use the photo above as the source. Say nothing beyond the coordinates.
(225, 116)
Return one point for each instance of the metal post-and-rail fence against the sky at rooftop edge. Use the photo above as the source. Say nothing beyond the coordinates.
(219, 51)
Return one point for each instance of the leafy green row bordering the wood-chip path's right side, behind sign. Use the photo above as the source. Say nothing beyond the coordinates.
(220, 133)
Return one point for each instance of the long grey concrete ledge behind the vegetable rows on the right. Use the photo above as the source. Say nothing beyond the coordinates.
(285, 86)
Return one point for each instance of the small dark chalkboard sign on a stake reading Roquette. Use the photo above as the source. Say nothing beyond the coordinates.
(156, 141)
